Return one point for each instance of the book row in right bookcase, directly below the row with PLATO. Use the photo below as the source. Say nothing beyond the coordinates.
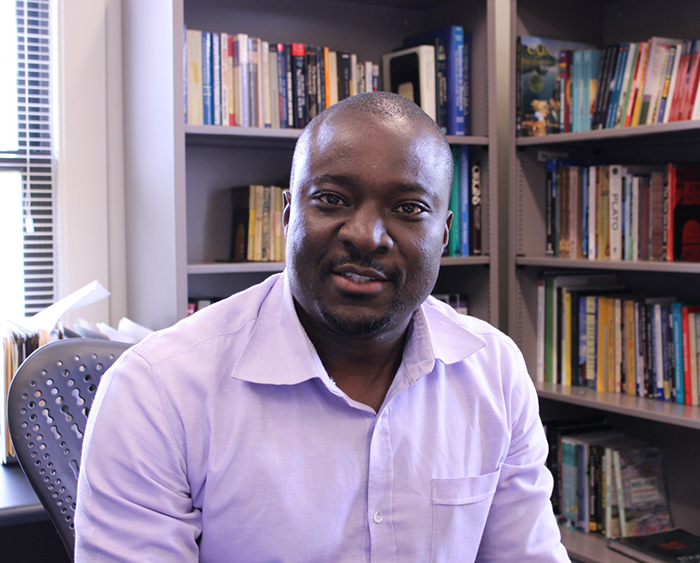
(591, 332)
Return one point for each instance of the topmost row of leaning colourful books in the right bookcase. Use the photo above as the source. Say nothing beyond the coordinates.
(573, 87)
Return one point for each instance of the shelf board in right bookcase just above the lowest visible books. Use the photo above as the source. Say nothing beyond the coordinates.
(620, 403)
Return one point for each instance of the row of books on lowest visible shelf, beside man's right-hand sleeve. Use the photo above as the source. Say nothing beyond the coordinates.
(605, 482)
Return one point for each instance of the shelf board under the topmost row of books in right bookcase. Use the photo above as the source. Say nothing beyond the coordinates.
(680, 130)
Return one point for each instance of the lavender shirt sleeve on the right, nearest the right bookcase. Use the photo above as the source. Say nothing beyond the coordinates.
(521, 525)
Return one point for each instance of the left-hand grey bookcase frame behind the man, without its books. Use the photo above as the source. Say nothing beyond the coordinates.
(178, 176)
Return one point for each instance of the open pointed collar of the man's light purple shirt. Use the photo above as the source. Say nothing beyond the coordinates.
(279, 351)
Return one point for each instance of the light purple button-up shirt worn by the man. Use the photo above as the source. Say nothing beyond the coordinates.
(228, 426)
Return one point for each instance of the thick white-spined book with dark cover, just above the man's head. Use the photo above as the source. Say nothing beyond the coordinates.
(411, 73)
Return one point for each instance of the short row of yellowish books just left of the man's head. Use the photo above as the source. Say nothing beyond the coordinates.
(257, 230)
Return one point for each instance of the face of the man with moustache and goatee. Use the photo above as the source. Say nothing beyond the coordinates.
(366, 223)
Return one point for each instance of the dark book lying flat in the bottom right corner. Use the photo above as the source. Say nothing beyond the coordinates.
(672, 546)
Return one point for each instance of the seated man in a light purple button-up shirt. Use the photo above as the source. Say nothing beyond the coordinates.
(335, 412)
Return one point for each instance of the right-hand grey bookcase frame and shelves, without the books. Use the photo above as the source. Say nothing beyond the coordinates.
(676, 428)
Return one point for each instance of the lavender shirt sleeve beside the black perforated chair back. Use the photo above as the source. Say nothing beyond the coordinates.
(134, 500)
